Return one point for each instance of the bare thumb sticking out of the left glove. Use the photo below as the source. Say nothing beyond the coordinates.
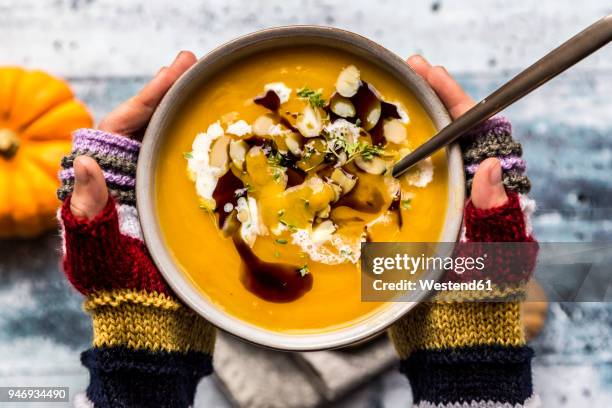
(90, 193)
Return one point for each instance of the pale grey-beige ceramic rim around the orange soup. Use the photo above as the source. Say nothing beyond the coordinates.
(210, 64)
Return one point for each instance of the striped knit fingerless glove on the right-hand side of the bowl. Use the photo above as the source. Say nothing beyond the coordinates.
(473, 353)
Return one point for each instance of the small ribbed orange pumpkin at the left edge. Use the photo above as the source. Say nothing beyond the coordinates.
(37, 115)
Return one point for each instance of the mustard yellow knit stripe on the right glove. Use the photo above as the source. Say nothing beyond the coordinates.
(434, 326)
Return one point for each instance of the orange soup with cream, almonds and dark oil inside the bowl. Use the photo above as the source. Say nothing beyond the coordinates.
(275, 173)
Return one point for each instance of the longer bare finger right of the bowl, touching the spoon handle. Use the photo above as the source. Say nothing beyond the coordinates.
(450, 92)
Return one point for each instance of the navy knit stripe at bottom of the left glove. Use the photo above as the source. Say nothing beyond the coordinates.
(123, 377)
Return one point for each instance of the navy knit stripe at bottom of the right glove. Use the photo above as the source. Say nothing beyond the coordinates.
(481, 373)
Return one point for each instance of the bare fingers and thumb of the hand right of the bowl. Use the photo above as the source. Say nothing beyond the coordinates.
(487, 189)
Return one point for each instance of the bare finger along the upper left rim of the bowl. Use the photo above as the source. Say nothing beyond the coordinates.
(135, 113)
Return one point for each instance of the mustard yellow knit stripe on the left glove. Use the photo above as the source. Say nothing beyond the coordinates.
(151, 321)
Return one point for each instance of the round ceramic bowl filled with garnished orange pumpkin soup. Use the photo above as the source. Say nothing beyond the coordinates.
(267, 165)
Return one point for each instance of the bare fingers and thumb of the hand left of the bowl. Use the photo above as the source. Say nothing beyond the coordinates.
(129, 119)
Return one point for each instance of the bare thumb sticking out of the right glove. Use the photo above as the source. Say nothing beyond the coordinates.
(487, 188)
